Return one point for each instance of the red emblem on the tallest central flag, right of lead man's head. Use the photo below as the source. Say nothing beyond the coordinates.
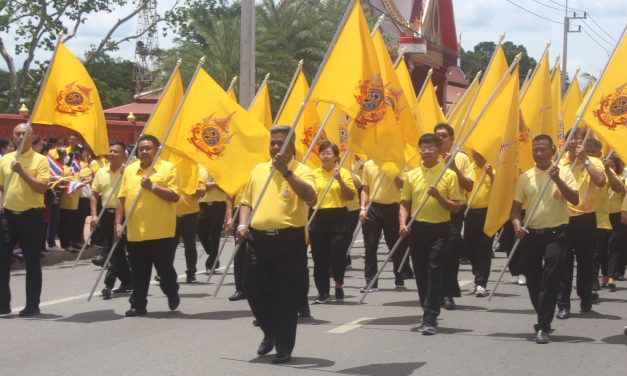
(371, 99)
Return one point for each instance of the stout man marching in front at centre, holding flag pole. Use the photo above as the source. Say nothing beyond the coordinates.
(276, 257)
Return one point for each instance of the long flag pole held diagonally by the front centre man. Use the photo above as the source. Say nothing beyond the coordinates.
(290, 135)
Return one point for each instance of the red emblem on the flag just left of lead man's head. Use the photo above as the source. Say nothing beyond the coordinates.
(211, 135)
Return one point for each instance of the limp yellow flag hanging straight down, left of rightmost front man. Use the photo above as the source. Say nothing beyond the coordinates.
(502, 193)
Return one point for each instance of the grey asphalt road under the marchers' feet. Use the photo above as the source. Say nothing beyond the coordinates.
(212, 336)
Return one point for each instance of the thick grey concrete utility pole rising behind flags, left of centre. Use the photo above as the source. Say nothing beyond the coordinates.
(247, 53)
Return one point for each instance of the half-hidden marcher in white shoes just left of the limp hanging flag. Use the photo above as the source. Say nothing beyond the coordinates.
(478, 245)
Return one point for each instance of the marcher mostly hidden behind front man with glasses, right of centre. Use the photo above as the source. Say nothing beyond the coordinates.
(465, 177)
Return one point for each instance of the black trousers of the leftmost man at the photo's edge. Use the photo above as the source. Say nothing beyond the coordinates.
(27, 229)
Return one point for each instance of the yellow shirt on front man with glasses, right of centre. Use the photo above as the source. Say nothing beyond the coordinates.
(418, 181)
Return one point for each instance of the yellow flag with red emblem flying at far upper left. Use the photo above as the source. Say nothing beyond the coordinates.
(70, 99)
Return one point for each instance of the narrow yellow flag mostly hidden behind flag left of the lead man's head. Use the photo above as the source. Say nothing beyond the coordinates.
(162, 115)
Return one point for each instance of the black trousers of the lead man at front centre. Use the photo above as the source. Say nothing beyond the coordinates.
(273, 285)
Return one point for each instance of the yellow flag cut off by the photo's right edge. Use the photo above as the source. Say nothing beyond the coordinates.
(606, 113)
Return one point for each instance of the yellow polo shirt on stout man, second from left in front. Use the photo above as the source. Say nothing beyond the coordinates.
(154, 217)
